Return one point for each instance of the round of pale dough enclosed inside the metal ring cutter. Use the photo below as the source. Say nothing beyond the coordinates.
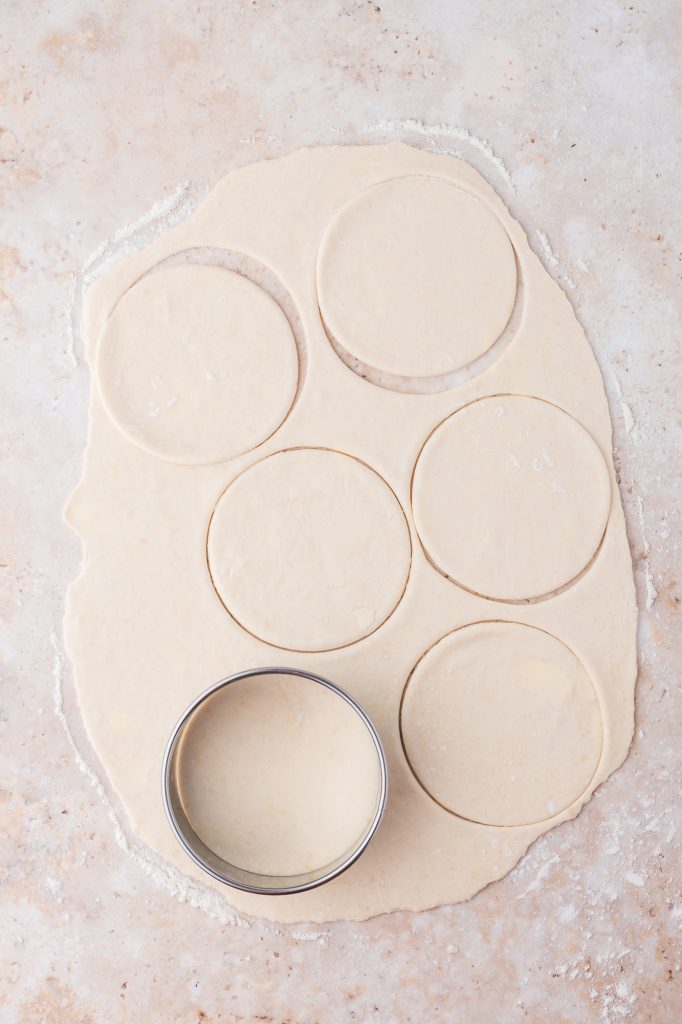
(278, 775)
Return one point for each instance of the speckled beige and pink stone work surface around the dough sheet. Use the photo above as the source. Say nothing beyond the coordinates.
(106, 109)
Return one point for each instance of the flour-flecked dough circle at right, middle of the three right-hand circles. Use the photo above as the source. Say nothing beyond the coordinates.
(511, 498)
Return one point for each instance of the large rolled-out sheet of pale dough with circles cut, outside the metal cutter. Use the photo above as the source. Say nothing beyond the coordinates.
(449, 546)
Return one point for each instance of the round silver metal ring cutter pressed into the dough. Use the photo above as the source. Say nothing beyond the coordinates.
(223, 871)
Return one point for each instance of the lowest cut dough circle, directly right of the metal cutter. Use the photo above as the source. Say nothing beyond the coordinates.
(501, 724)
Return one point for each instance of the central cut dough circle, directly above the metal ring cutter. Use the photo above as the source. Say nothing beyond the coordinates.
(310, 550)
